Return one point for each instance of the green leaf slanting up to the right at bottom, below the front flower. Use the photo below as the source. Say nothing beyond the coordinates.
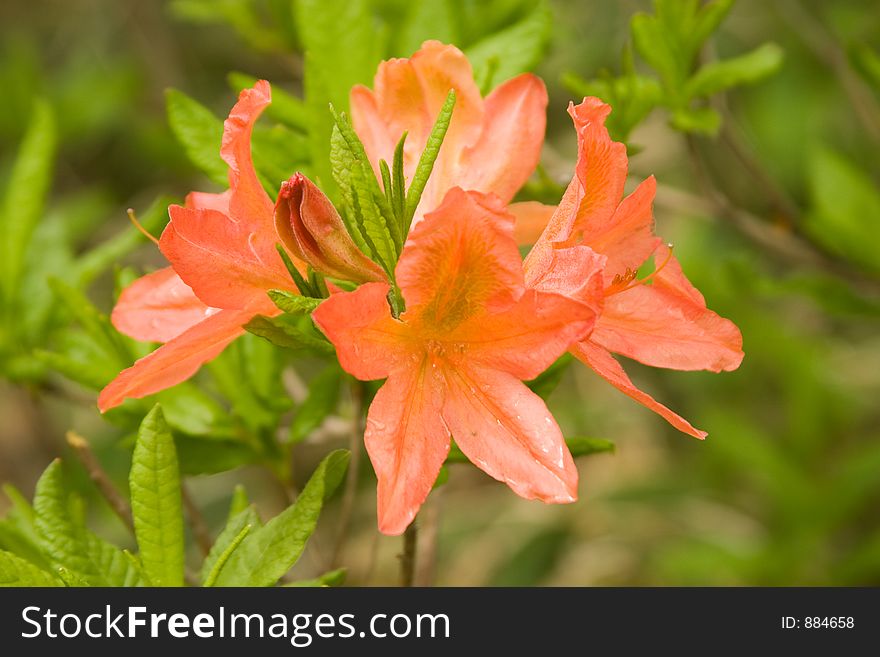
(267, 553)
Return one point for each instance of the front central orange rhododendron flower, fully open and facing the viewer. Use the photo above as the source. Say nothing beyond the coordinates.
(455, 359)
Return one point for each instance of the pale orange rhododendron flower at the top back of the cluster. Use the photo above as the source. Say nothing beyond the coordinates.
(492, 145)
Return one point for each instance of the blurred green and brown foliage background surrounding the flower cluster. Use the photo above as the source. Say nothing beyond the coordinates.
(767, 188)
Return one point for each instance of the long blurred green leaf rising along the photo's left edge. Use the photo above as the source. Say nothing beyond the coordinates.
(26, 189)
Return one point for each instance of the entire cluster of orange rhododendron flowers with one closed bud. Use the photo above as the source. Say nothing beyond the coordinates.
(476, 319)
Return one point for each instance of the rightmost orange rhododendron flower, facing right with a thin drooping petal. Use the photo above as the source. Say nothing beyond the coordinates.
(663, 321)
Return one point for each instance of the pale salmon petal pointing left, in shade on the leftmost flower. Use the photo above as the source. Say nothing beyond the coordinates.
(158, 307)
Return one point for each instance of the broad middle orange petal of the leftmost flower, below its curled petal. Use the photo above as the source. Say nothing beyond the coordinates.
(226, 263)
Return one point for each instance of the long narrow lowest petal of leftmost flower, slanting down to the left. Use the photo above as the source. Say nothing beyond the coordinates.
(179, 358)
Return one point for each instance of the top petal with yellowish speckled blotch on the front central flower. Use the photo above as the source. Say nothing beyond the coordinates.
(460, 261)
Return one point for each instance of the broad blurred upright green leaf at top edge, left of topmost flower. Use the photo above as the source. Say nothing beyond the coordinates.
(331, 69)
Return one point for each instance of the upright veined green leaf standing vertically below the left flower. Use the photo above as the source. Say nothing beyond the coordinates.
(156, 501)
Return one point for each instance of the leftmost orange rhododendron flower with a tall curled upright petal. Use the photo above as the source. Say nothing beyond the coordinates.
(223, 260)
